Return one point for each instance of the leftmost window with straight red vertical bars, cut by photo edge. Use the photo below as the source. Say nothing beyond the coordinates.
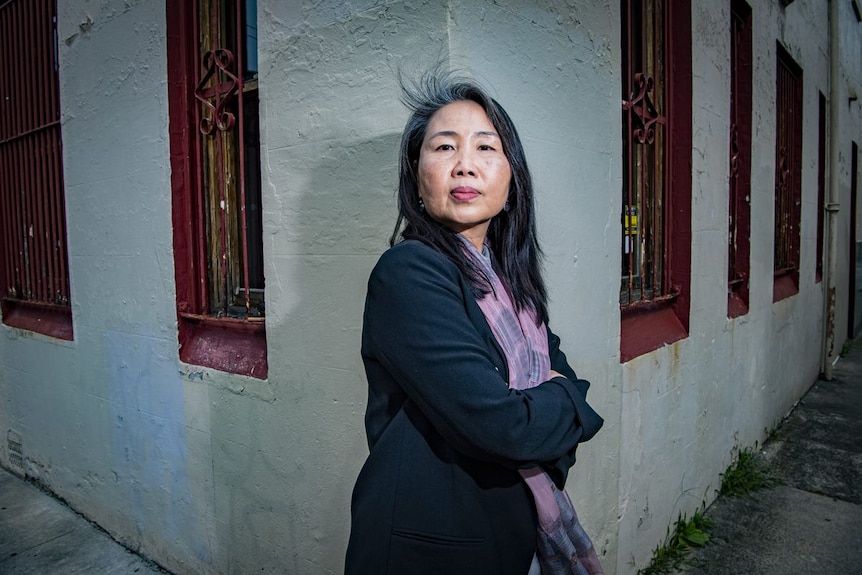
(34, 272)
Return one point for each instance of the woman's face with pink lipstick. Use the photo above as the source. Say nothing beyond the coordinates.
(463, 173)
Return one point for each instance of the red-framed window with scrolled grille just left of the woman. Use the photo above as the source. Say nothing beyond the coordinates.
(215, 163)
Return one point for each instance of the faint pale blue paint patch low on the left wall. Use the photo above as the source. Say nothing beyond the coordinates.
(149, 440)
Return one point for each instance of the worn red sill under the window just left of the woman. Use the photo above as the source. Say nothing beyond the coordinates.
(233, 346)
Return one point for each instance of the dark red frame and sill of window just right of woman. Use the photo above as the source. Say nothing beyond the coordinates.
(650, 325)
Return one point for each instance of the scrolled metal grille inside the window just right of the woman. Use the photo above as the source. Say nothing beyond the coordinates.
(645, 275)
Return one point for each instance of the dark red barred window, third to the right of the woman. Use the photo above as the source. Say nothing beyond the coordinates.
(788, 176)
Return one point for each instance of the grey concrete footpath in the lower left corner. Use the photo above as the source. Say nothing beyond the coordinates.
(40, 535)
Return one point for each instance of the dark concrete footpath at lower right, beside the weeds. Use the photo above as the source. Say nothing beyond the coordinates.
(812, 522)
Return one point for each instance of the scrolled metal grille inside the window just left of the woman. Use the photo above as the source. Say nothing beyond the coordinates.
(228, 234)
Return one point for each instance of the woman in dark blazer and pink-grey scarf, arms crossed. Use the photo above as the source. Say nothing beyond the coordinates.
(473, 413)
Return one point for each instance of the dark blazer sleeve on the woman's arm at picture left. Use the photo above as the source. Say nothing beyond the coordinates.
(417, 327)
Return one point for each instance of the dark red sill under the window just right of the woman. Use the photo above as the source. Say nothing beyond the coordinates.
(646, 329)
